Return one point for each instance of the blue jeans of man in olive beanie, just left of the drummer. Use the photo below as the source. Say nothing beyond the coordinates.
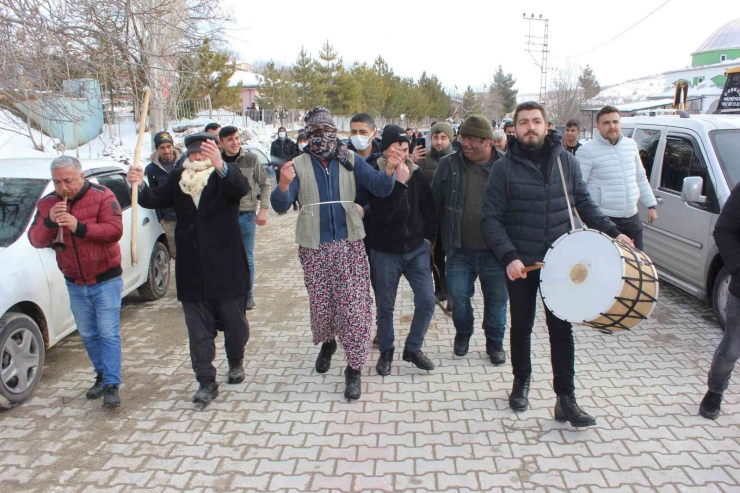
(462, 270)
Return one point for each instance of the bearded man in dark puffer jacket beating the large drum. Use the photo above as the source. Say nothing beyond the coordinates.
(524, 211)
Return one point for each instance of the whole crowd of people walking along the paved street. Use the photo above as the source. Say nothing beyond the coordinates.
(380, 208)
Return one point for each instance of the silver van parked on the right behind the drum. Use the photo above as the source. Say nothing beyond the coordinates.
(693, 164)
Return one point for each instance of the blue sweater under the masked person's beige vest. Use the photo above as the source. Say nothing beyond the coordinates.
(332, 219)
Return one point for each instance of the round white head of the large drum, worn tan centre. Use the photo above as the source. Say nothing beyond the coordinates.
(582, 275)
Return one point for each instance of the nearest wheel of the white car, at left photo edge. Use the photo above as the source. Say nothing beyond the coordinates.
(22, 354)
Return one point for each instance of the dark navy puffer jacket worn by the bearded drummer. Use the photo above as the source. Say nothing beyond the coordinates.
(524, 213)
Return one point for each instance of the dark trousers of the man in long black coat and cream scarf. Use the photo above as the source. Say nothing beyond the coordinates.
(204, 320)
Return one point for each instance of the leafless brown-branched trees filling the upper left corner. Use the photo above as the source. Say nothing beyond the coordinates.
(124, 44)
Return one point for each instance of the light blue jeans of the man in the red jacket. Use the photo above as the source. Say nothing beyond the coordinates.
(97, 313)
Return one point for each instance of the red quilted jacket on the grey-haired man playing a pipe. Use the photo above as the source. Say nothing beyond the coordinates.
(92, 254)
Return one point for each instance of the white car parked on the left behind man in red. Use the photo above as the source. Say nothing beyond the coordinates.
(34, 304)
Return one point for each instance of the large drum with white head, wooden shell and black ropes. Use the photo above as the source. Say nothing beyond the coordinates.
(591, 279)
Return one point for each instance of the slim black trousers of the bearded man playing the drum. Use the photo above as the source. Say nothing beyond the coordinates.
(523, 303)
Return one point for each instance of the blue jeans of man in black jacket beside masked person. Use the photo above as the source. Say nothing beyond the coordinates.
(387, 269)
